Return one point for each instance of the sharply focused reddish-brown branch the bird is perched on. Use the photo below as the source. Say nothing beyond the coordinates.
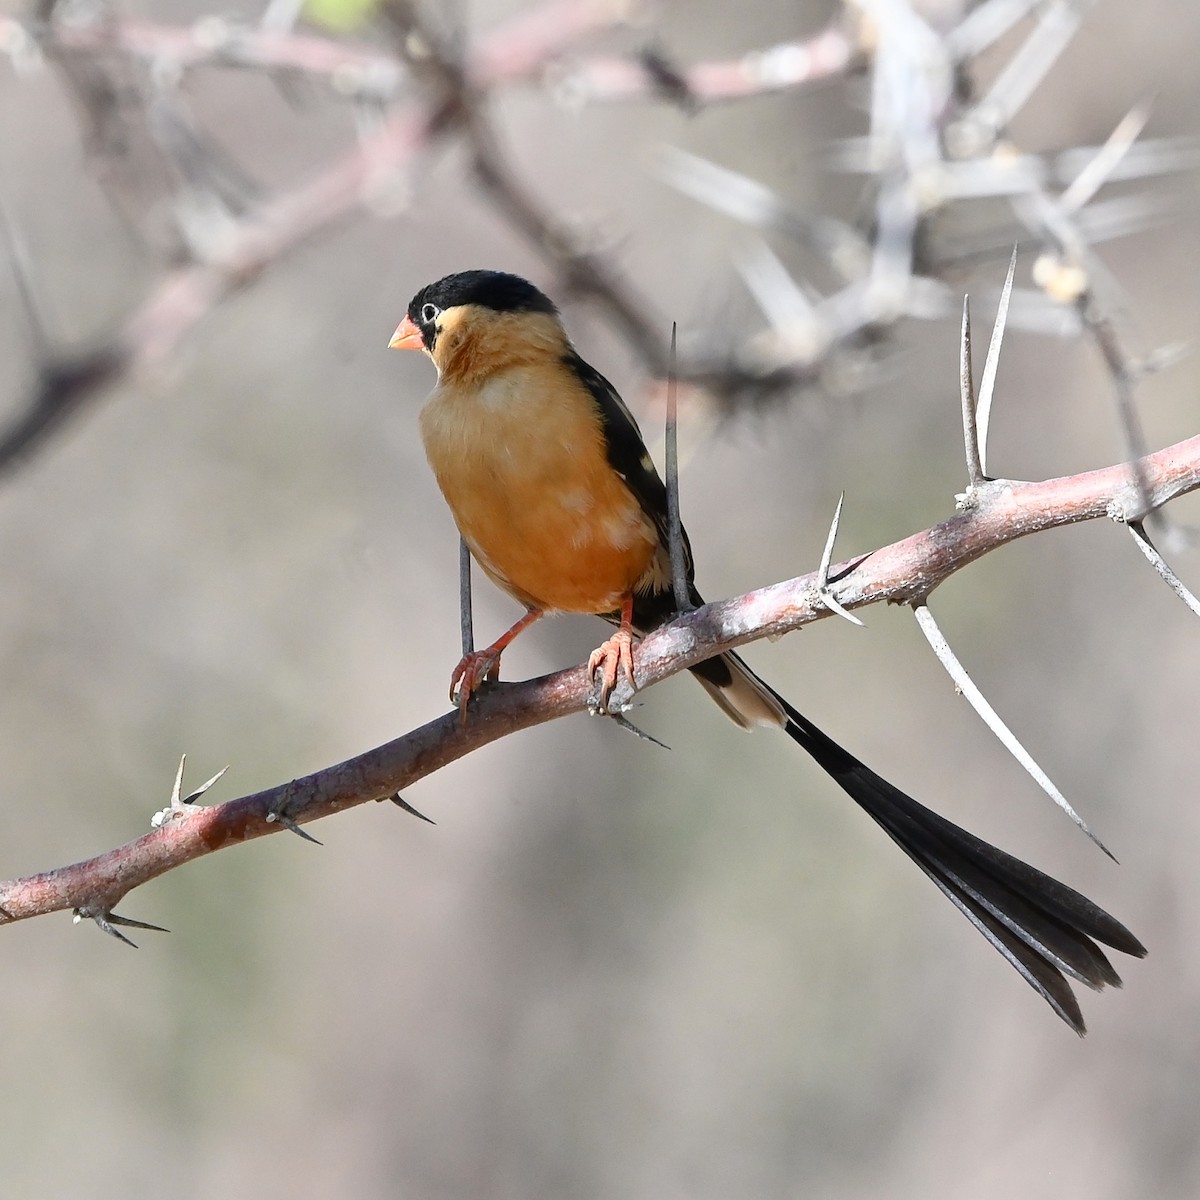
(904, 573)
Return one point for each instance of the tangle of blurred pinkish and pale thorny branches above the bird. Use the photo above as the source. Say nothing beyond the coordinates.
(937, 152)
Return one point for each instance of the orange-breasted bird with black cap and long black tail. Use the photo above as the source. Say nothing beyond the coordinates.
(559, 501)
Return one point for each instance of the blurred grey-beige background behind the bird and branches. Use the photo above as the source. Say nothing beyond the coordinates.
(609, 970)
